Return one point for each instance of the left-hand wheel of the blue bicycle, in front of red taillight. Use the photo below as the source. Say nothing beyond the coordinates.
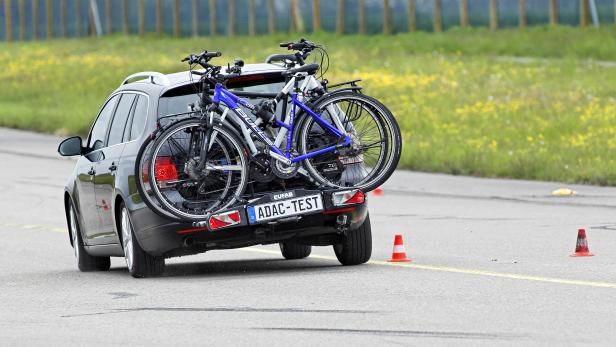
(183, 186)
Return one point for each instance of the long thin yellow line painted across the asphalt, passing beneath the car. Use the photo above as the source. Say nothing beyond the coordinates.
(439, 268)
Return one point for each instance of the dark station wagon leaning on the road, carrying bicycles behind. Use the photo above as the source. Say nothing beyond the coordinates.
(107, 216)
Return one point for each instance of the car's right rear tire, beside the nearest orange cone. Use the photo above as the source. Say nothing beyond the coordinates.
(356, 247)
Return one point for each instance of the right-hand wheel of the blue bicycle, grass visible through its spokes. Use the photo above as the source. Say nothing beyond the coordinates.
(374, 151)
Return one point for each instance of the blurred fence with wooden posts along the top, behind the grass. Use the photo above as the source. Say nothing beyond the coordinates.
(33, 19)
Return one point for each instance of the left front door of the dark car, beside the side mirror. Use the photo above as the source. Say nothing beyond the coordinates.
(85, 197)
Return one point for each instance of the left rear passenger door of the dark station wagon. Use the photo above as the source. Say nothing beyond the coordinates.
(106, 170)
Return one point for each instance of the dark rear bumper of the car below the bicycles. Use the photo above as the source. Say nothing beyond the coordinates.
(161, 237)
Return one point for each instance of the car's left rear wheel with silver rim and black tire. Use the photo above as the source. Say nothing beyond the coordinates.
(139, 263)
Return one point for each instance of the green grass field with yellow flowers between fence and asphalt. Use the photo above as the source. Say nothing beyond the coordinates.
(464, 105)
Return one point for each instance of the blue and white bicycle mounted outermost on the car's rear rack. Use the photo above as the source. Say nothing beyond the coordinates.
(204, 163)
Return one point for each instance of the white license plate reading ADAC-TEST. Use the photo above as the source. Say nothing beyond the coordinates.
(285, 208)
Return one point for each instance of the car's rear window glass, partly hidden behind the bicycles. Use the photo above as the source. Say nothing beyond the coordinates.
(184, 99)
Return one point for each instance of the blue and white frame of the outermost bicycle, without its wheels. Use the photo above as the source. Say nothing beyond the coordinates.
(233, 102)
